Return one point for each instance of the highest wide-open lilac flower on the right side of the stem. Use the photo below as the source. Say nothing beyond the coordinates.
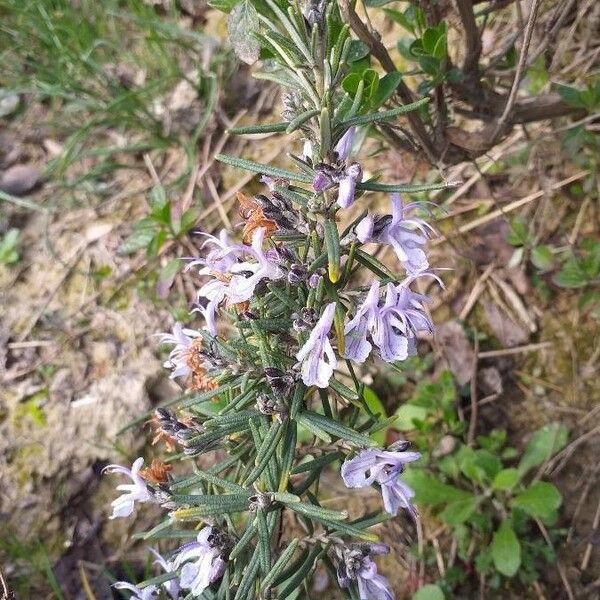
(407, 236)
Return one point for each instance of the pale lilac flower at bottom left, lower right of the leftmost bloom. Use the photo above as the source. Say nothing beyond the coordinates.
(206, 565)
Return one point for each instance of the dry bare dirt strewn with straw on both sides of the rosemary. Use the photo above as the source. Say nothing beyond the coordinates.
(78, 360)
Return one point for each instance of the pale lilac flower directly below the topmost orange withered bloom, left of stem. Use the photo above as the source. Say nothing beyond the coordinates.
(241, 288)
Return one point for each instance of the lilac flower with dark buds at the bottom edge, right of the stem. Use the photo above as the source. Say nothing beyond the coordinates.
(355, 564)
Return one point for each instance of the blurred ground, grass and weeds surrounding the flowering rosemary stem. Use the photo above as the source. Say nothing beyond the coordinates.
(111, 115)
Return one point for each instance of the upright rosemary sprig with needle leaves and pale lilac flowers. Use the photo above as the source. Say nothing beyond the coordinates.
(287, 312)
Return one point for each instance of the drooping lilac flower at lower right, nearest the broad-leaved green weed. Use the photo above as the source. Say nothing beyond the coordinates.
(382, 467)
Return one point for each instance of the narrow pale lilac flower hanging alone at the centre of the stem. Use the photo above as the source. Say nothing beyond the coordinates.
(317, 356)
